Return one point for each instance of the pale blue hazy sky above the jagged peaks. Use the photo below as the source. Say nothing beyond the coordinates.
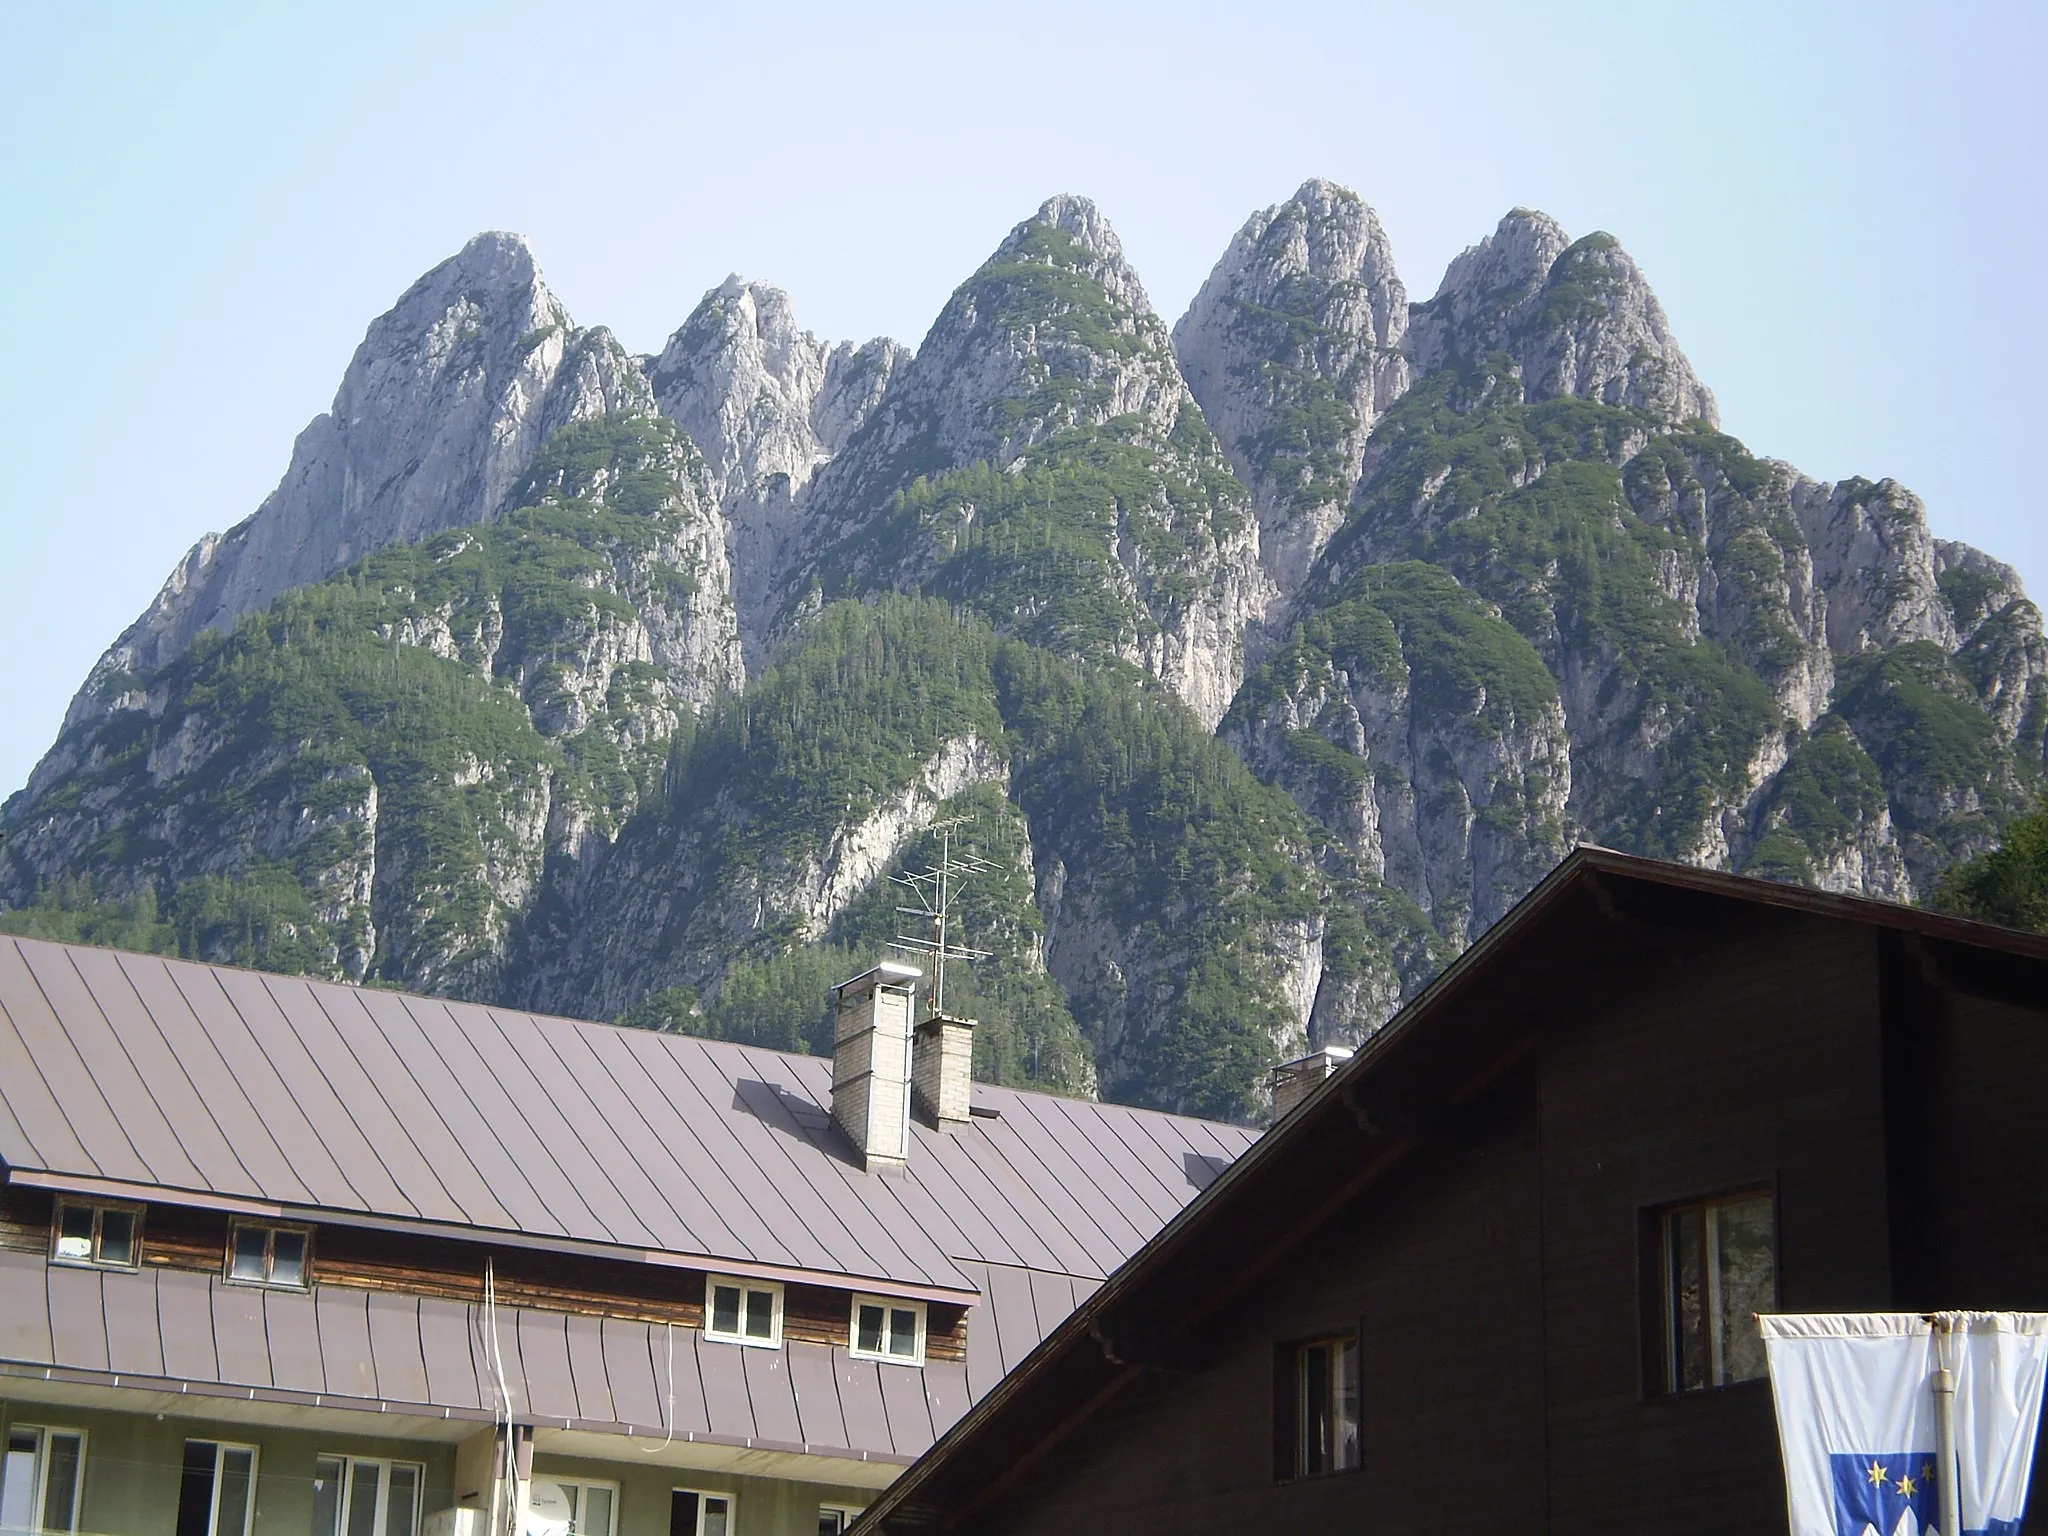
(1842, 210)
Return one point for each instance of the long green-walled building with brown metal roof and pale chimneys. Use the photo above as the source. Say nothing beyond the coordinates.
(286, 1258)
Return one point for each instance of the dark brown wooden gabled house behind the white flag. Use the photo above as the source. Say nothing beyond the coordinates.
(1498, 1273)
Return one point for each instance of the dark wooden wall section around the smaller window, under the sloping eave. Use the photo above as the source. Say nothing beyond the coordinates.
(1439, 1271)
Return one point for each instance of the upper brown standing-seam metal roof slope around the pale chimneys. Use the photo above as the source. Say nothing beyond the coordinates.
(232, 1089)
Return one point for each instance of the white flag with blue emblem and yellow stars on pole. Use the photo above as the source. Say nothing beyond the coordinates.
(1861, 1431)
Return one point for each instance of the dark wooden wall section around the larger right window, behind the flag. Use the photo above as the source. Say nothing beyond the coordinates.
(1711, 1062)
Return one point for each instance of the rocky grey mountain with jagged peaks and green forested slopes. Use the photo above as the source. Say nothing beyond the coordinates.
(1271, 658)
